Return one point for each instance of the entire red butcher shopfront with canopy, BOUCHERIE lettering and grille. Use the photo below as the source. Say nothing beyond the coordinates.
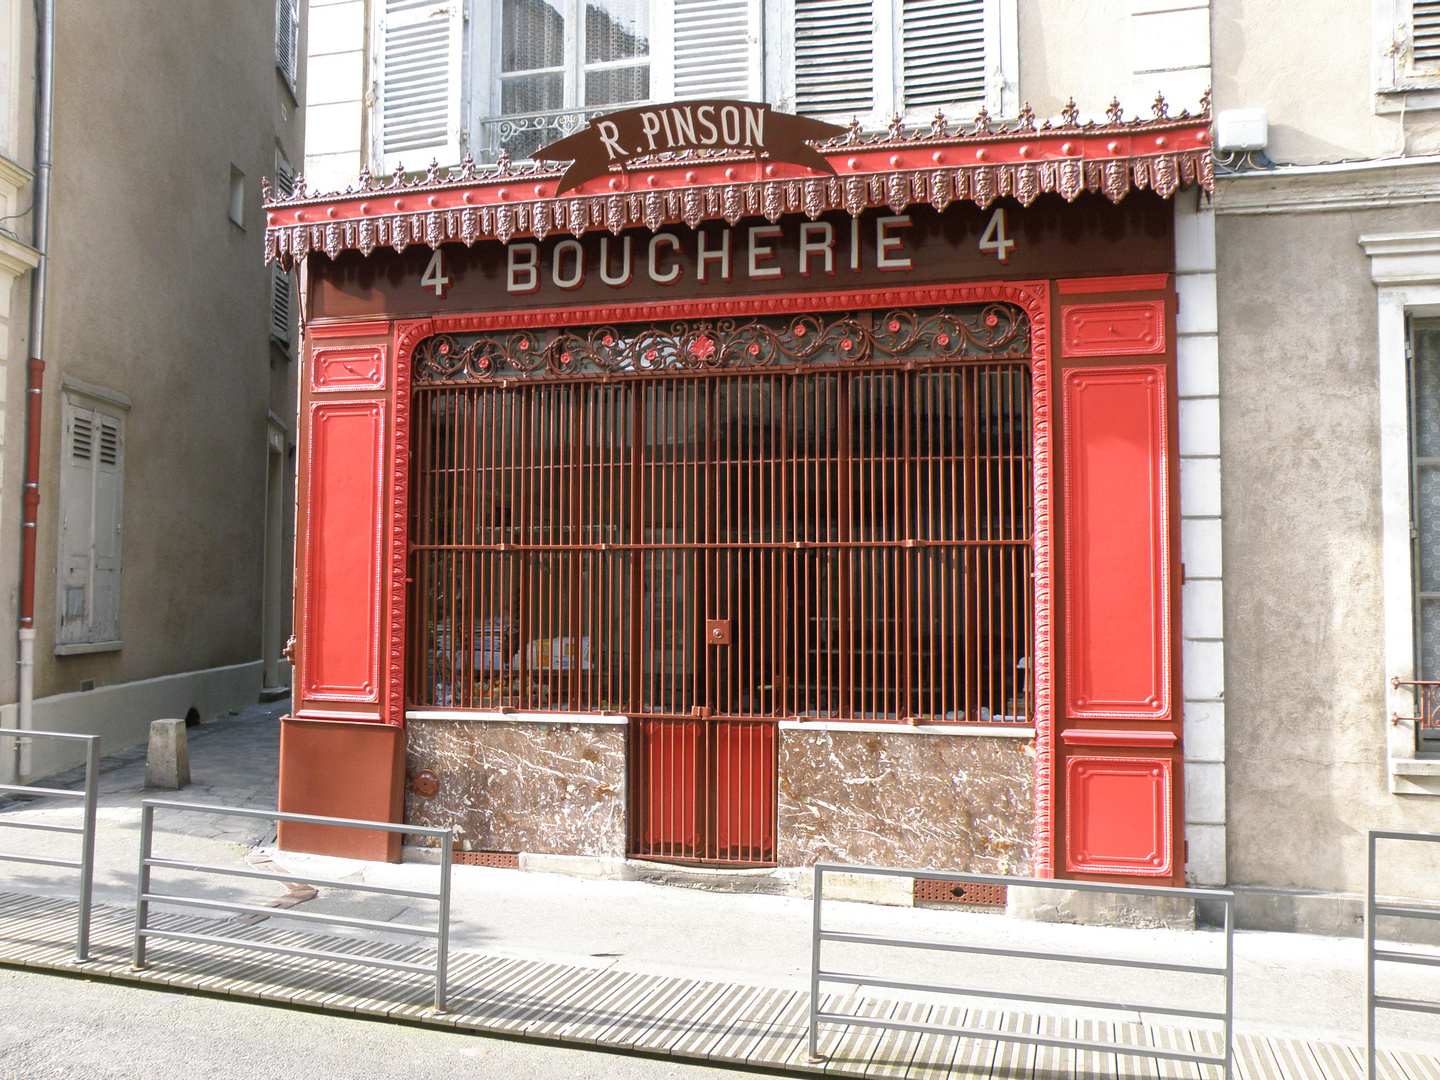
(725, 512)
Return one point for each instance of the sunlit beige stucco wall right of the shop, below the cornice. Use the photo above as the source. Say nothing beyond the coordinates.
(1305, 667)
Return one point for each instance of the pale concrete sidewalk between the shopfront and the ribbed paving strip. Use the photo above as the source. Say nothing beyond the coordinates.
(1290, 986)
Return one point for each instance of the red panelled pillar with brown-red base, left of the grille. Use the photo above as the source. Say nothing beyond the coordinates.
(343, 750)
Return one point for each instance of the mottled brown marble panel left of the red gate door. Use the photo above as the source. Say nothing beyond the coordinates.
(542, 788)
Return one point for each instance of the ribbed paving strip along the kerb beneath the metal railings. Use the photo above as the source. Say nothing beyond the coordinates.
(689, 1019)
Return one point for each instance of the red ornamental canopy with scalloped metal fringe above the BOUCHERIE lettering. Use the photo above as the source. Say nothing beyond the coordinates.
(896, 169)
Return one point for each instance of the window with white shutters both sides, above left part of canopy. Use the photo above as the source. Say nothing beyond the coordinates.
(492, 76)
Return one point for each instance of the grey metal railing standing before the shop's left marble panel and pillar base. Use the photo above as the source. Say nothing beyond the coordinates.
(145, 896)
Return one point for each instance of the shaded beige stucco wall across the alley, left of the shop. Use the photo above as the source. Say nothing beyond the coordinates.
(156, 294)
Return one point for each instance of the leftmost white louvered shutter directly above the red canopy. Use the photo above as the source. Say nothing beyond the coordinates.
(420, 86)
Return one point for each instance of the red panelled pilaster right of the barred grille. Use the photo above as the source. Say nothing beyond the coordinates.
(1120, 738)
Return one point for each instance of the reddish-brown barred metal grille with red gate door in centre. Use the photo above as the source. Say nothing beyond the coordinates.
(711, 554)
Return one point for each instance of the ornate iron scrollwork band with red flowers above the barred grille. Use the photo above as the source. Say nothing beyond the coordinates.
(716, 345)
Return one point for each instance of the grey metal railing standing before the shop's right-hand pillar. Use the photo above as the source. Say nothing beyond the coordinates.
(820, 976)
